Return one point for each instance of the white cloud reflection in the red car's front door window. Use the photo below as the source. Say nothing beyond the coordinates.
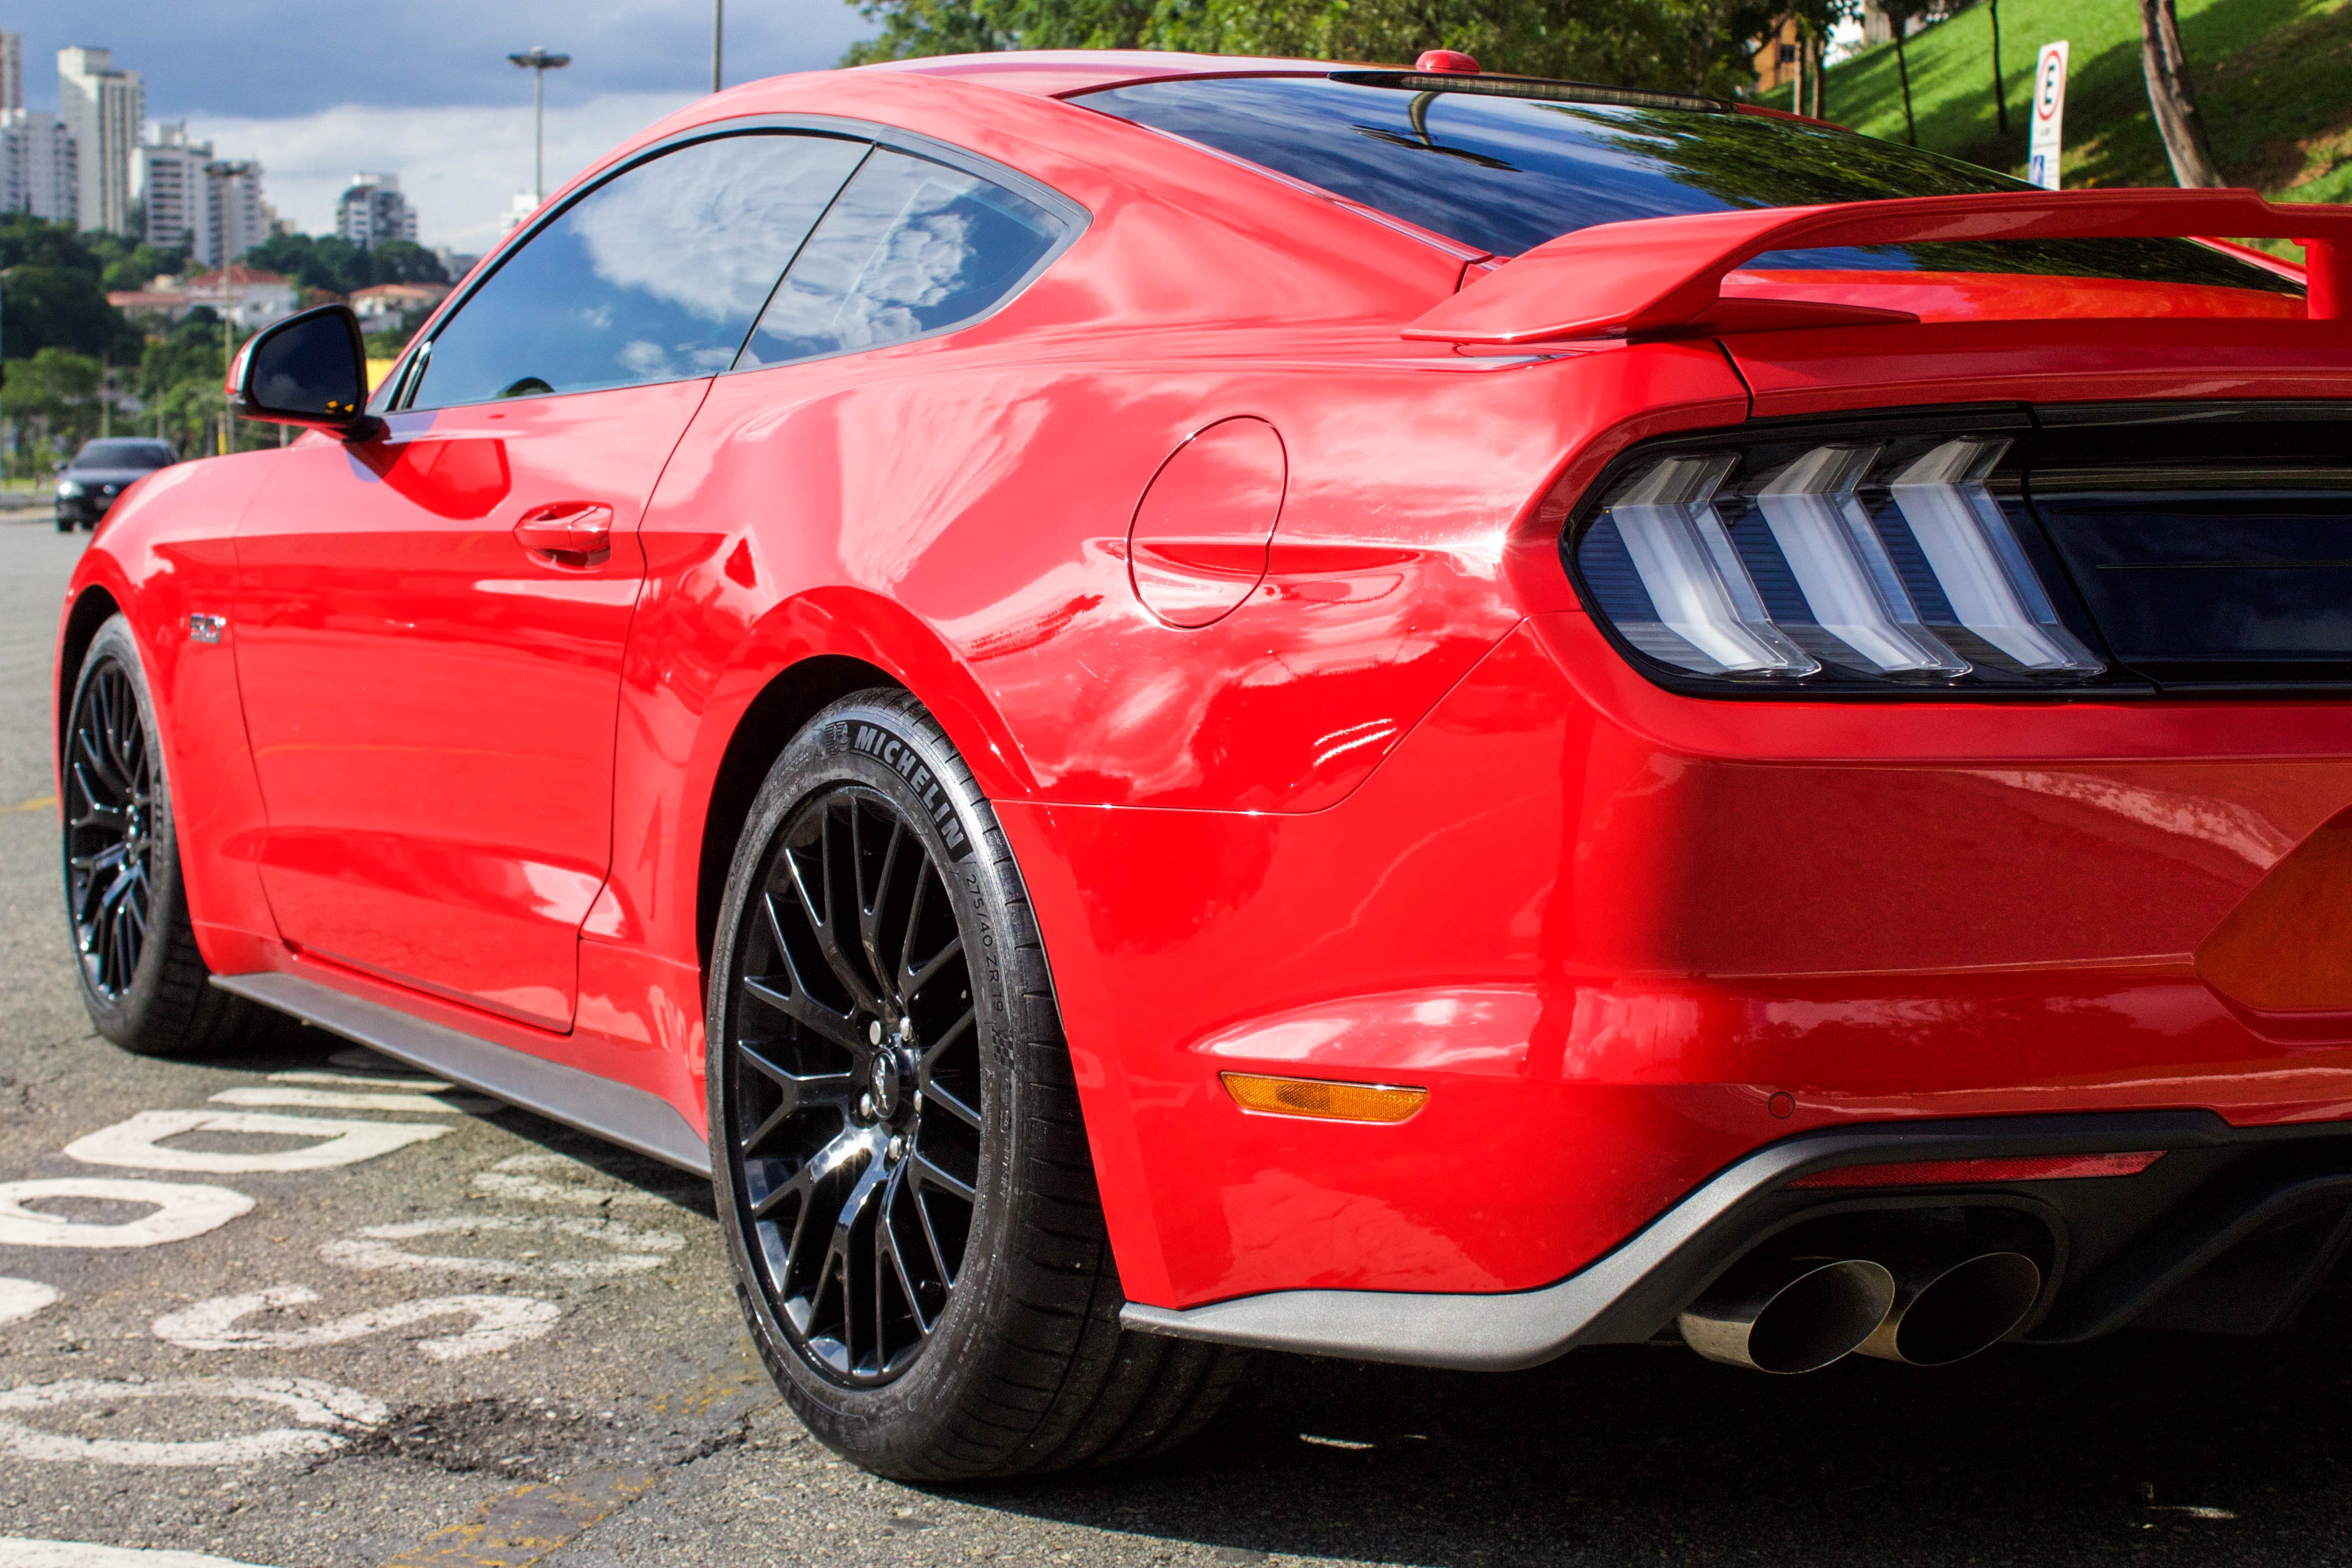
(742, 225)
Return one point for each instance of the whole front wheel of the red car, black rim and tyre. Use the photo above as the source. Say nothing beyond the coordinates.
(142, 977)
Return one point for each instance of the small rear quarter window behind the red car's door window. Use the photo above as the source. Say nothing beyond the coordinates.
(909, 248)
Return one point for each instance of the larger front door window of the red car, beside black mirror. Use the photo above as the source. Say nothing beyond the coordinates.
(653, 276)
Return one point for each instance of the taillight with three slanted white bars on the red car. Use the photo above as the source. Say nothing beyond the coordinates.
(1871, 561)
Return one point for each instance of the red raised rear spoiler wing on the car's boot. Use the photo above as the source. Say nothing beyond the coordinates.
(1664, 276)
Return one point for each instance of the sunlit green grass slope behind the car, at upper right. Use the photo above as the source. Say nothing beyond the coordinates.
(2273, 81)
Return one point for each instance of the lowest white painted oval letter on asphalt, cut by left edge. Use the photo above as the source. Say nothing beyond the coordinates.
(321, 1409)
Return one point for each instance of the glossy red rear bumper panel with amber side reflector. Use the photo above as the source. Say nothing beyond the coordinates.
(1631, 939)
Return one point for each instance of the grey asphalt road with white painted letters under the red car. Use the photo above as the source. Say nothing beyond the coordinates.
(295, 1383)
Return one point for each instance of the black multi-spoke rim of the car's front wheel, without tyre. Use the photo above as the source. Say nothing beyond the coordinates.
(109, 796)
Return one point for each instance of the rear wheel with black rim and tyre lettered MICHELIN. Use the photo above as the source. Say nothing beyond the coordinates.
(895, 1130)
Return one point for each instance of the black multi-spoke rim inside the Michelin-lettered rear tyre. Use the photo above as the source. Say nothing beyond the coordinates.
(855, 1125)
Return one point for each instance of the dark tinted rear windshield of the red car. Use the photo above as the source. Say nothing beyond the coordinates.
(1509, 173)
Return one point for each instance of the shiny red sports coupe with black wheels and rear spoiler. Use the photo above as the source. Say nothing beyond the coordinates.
(1172, 704)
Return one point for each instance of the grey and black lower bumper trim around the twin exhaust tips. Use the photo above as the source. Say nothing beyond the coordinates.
(2231, 1231)
